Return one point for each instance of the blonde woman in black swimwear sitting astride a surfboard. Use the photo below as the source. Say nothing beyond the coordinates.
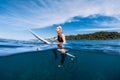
(60, 41)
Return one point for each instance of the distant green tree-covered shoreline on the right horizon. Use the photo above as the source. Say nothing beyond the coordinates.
(102, 35)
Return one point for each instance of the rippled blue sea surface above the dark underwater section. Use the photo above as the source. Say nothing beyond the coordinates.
(8, 47)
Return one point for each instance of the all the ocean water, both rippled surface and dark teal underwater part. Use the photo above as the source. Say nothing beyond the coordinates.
(33, 60)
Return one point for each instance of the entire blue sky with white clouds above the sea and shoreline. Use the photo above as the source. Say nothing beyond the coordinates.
(42, 16)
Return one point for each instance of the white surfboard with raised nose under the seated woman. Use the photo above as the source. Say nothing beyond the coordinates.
(47, 42)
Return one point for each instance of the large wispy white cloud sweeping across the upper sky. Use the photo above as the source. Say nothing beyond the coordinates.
(56, 12)
